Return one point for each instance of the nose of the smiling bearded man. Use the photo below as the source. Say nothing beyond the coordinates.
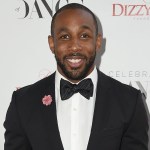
(75, 45)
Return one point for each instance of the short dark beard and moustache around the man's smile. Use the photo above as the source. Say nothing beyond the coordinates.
(74, 74)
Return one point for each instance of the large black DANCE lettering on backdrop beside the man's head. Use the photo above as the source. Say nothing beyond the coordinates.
(38, 8)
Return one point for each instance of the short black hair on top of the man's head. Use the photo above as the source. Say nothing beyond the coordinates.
(73, 6)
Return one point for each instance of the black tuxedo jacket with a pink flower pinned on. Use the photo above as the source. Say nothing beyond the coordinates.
(119, 121)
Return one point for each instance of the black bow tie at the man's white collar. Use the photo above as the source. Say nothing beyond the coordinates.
(67, 89)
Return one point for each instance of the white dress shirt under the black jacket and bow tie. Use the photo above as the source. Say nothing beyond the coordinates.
(75, 115)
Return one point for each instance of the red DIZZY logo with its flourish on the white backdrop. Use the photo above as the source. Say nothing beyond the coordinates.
(141, 9)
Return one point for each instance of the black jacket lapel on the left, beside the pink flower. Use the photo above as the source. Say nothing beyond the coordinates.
(49, 118)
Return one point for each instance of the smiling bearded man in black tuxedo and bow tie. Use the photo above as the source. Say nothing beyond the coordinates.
(77, 107)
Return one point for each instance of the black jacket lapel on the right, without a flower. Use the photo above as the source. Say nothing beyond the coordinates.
(101, 112)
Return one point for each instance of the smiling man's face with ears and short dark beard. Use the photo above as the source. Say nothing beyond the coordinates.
(74, 43)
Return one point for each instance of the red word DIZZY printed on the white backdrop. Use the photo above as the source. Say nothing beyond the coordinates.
(130, 10)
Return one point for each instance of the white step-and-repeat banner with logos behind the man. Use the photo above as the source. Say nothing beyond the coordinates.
(25, 56)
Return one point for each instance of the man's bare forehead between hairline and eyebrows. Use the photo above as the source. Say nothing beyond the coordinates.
(74, 17)
